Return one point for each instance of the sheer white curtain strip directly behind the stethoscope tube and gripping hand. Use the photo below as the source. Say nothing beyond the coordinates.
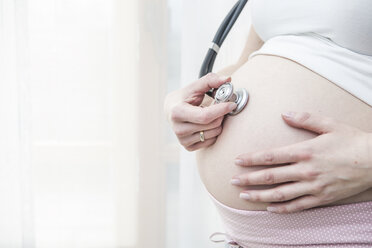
(198, 218)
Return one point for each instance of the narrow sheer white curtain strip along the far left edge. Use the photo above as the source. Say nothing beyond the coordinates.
(16, 225)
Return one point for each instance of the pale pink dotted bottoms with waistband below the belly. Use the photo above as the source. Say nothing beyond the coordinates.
(337, 226)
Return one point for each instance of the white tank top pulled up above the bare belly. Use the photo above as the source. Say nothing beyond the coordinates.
(331, 37)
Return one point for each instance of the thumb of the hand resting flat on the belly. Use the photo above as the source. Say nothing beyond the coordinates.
(312, 122)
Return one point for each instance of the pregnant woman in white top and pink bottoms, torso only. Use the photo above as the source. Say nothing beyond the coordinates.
(281, 178)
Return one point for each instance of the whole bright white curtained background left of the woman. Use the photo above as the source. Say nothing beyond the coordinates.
(85, 160)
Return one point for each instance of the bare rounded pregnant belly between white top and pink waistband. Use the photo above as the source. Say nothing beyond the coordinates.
(276, 85)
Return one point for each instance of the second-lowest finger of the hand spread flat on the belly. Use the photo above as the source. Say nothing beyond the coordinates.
(280, 193)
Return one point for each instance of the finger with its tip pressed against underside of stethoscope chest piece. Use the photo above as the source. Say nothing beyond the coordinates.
(194, 114)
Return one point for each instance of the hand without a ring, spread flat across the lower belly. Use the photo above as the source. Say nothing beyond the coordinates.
(335, 165)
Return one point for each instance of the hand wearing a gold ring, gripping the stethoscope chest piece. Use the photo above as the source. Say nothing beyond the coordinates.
(188, 118)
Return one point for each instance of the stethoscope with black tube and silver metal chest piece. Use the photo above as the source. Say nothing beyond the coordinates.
(225, 93)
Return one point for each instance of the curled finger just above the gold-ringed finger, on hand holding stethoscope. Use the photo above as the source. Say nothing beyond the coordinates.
(183, 129)
